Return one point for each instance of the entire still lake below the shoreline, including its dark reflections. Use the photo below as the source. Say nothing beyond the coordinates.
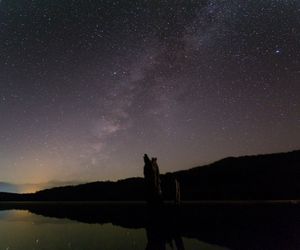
(134, 226)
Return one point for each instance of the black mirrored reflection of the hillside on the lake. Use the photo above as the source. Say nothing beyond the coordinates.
(236, 225)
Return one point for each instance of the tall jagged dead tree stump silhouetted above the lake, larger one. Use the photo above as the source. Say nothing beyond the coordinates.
(152, 180)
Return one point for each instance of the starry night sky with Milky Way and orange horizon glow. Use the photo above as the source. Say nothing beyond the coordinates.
(88, 86)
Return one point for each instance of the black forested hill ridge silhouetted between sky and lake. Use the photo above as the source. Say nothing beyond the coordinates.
(261, 177)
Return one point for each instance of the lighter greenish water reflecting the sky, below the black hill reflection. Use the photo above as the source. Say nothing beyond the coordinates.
(21, 229)
